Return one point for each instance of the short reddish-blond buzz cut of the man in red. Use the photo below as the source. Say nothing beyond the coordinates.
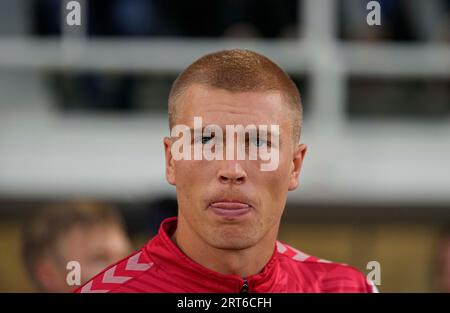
(239, 70)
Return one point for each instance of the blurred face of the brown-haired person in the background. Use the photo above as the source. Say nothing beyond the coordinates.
(94, 247)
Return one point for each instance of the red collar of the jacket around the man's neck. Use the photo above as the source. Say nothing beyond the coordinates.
(166, 254)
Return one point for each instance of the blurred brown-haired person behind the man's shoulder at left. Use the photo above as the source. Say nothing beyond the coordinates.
(90, 233)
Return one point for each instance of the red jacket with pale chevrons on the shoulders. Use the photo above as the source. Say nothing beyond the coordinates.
(160, 266)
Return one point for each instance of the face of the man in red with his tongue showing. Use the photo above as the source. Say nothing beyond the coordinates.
(205, 188)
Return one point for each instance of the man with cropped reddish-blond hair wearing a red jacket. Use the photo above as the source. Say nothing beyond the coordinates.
(224, 238)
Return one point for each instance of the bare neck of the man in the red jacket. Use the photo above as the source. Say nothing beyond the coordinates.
(242, 262)
